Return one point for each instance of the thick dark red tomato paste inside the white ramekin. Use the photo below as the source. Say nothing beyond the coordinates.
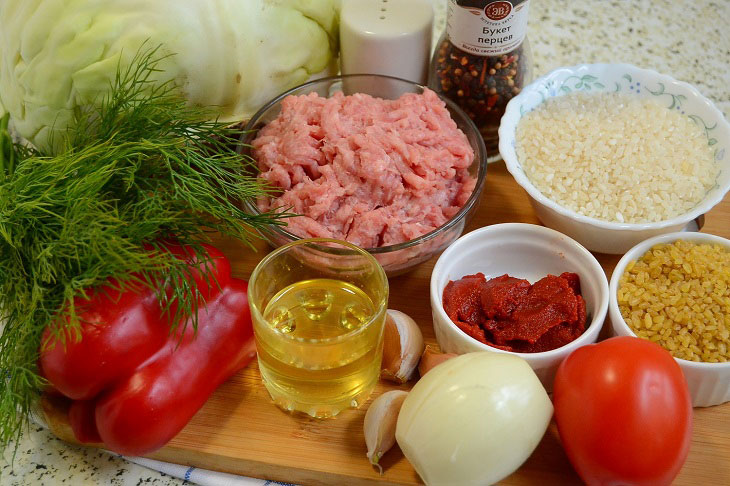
(508, 313)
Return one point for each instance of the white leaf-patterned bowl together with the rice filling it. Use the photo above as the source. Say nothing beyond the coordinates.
(610, 185)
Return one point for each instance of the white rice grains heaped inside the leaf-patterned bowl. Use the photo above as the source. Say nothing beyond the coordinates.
(616, 157)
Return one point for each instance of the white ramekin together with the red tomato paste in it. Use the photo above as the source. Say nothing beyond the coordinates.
(521, 289)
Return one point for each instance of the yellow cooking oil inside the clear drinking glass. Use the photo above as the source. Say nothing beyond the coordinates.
(320, 347)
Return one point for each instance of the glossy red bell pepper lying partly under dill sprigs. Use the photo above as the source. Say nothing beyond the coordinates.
(147, 392)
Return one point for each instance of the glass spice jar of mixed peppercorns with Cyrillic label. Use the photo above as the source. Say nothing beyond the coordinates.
(483, 60)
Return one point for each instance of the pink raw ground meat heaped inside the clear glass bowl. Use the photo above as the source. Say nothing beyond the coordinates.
(371, 171)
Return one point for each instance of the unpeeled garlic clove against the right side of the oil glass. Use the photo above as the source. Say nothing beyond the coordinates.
(402, 347)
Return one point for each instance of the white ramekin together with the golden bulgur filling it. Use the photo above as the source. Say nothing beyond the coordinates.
(674, 289)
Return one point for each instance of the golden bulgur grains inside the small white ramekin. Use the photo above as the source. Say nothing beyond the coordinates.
(688, 311)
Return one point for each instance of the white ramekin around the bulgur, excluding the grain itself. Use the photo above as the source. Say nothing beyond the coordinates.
(709, 383)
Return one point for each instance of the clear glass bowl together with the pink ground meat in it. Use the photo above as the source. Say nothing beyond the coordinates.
(381, 162)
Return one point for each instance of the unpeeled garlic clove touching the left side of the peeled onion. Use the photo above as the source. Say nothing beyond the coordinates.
(379, 426)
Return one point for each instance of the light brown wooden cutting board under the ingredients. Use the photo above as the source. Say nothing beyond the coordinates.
(239, 430)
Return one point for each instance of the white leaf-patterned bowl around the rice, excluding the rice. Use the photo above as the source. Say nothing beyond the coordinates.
(595, 234)
